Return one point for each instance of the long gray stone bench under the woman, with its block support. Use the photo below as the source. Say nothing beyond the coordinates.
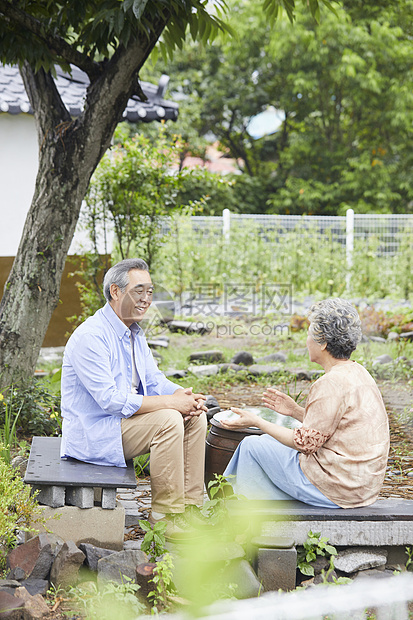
(280, 525)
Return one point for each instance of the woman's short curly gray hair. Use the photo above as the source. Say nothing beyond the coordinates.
(336, 323)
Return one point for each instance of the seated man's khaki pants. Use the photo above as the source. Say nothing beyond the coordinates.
(177, 456)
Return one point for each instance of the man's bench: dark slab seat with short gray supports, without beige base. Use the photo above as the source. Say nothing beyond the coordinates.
(69, 482)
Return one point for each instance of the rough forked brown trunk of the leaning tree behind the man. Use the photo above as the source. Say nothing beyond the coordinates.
(69, 151)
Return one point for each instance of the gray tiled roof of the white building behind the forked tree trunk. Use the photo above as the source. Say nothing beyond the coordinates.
(72, 88)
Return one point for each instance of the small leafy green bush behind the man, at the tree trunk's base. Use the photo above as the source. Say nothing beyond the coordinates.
(39, 409)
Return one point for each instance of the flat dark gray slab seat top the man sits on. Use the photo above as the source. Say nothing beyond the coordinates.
(45, 467)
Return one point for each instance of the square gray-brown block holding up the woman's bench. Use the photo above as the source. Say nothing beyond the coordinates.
(276, 568)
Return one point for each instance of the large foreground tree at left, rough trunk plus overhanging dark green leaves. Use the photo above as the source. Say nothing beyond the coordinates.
(110, 40)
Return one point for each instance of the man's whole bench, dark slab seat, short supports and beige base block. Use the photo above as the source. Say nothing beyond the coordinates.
(80, 495)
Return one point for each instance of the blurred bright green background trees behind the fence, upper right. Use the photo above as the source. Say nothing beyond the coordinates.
(345, 86)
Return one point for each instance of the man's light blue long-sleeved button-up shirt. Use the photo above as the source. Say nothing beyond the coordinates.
(96, 387)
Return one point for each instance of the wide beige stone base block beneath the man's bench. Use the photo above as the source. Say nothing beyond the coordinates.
(97, 526)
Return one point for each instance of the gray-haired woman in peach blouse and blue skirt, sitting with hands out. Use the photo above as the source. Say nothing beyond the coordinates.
(338, 457)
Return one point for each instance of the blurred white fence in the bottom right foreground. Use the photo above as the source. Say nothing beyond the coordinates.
(387, 599)
